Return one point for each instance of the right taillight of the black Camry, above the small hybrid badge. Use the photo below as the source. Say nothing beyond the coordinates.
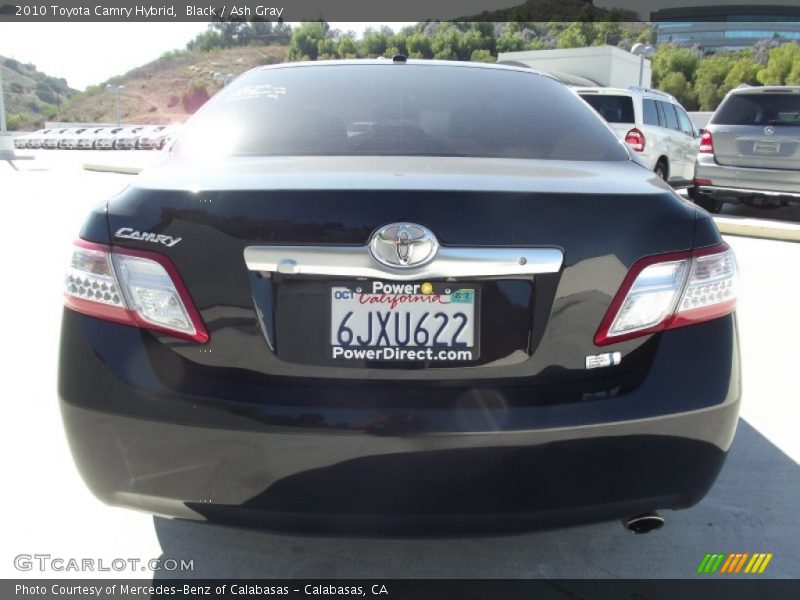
(671, 290)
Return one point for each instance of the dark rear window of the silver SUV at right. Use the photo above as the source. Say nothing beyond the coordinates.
(759, 109)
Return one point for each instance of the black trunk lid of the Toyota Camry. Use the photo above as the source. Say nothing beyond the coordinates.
(539, 327)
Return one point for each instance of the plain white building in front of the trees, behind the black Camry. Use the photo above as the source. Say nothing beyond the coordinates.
(604, 65)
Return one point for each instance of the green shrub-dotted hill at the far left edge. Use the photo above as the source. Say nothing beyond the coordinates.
(30, 93)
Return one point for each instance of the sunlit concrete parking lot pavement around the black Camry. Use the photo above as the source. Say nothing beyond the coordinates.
(752, 508)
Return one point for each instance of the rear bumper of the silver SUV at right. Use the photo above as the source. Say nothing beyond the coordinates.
(742, 182)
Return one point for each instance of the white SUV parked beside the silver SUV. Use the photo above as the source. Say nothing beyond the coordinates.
(653, 124)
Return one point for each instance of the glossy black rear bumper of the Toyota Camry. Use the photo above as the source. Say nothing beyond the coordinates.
(480, 465)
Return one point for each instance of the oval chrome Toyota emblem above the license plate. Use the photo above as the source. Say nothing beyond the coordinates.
(403, 245)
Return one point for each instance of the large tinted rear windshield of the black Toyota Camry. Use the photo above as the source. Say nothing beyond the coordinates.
(408, 109)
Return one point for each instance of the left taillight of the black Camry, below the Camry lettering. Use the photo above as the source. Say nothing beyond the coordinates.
(133, 287)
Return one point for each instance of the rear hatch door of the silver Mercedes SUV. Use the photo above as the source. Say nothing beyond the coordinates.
(758, 130)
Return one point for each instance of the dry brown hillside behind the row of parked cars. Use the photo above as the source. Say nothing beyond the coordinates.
(164, 91)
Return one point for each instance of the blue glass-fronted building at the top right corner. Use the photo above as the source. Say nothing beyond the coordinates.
(725, 28)
